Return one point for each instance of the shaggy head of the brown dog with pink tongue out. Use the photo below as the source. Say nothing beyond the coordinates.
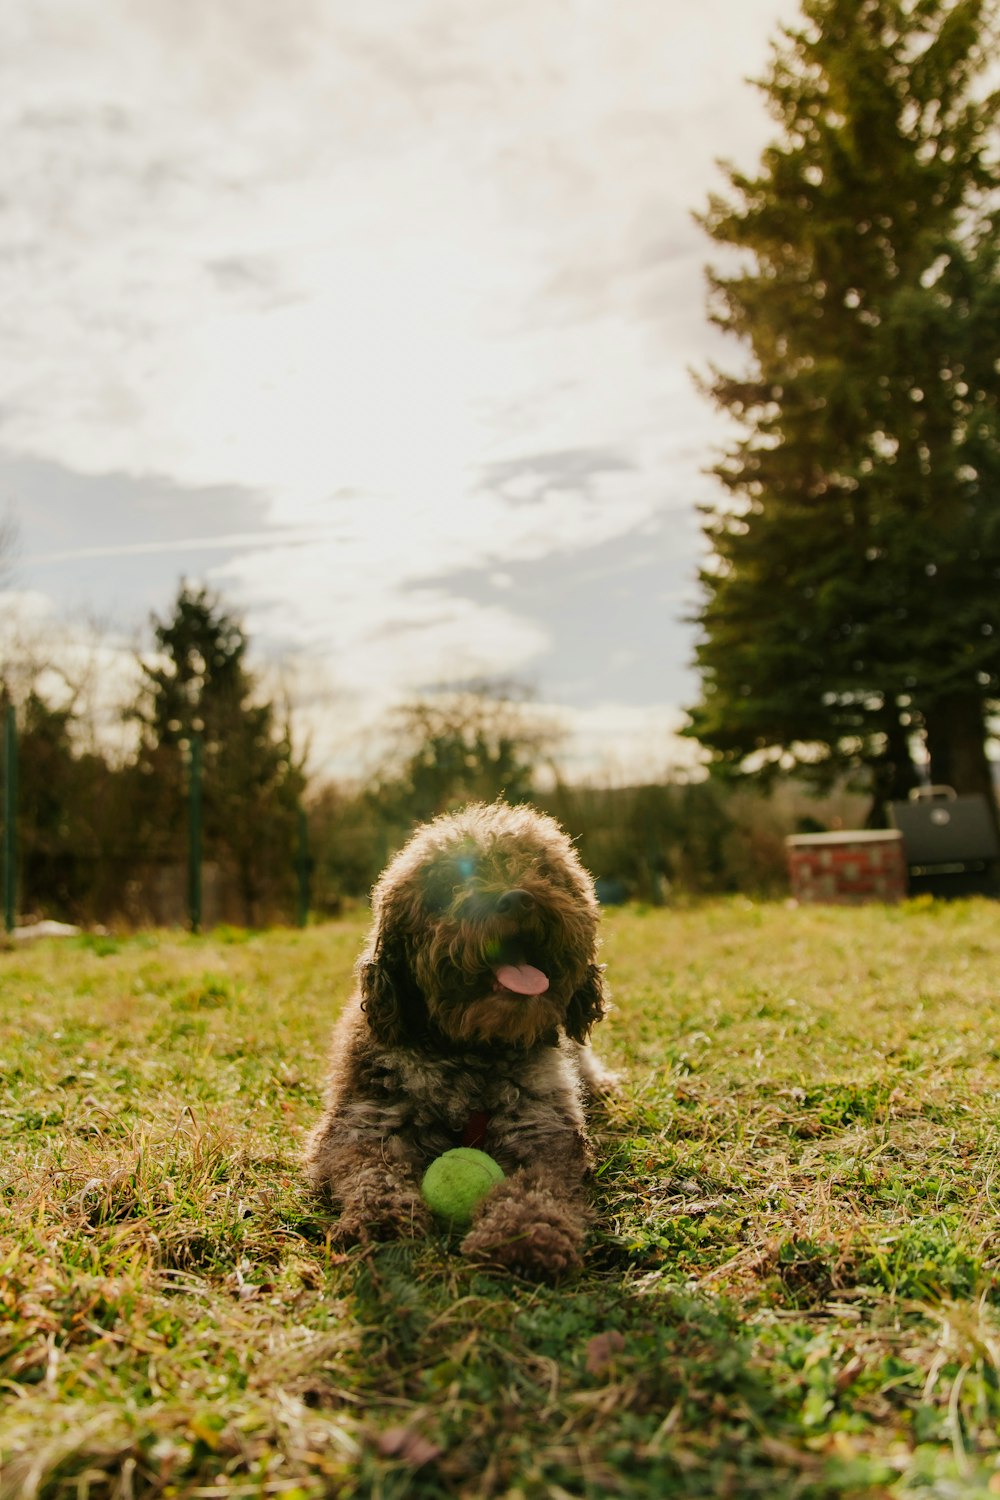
(485, 932)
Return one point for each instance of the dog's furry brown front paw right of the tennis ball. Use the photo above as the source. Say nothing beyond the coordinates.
(531, 1232)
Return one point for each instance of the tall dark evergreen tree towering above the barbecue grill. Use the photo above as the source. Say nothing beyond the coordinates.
(852, 592)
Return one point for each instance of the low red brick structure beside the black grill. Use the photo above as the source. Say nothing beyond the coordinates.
(848, 868)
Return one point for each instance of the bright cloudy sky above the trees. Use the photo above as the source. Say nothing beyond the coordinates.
(379, 319)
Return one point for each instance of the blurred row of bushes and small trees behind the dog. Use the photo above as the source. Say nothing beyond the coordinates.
(104, 839)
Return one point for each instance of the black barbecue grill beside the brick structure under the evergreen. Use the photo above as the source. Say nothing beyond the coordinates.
(951, 842)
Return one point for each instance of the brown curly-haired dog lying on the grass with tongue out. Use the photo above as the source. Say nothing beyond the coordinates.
(478, 991)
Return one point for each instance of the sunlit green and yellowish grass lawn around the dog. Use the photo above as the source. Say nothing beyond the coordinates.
(791, 1291)
